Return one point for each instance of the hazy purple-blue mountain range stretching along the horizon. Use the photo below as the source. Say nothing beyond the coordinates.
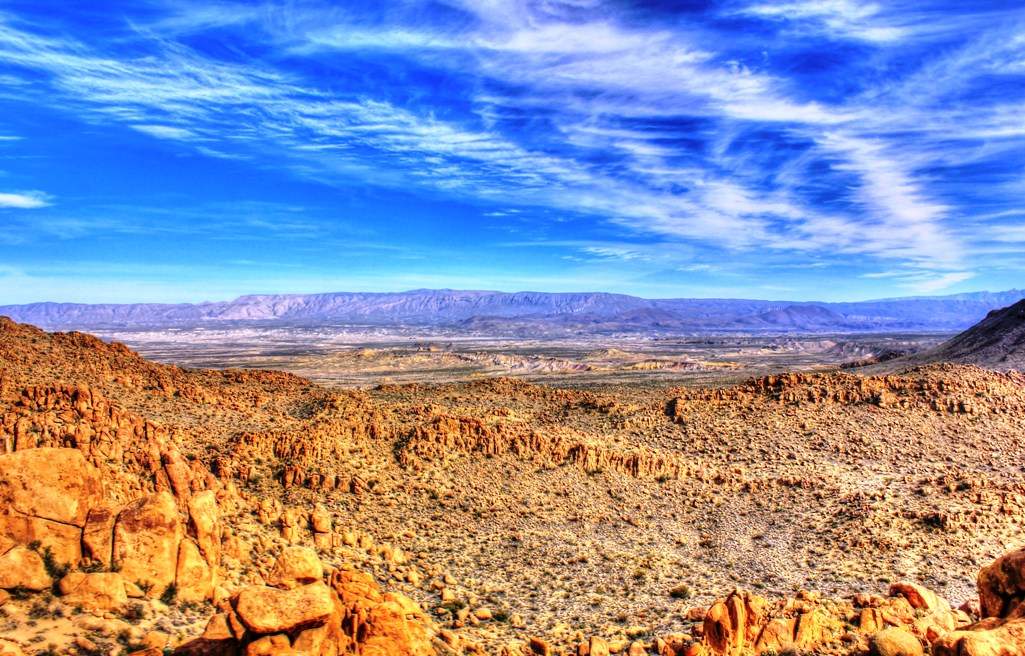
(531, 313)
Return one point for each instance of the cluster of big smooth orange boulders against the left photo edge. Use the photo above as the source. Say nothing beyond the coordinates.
(55, 517)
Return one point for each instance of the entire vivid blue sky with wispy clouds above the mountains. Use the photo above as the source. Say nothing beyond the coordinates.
(793, 149)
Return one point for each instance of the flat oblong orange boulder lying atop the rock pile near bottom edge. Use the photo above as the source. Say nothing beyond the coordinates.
(270, 610)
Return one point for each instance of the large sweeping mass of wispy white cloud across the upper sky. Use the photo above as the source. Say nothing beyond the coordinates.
(651, 128)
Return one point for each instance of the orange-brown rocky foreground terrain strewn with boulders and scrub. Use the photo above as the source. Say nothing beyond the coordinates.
(147, 509)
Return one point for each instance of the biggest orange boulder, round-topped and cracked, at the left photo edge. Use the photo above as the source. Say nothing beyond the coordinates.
(46, 497)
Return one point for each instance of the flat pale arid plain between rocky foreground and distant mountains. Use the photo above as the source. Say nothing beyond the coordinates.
(365, 357)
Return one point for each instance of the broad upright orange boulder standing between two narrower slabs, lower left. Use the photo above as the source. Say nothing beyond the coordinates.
(146, 543)
